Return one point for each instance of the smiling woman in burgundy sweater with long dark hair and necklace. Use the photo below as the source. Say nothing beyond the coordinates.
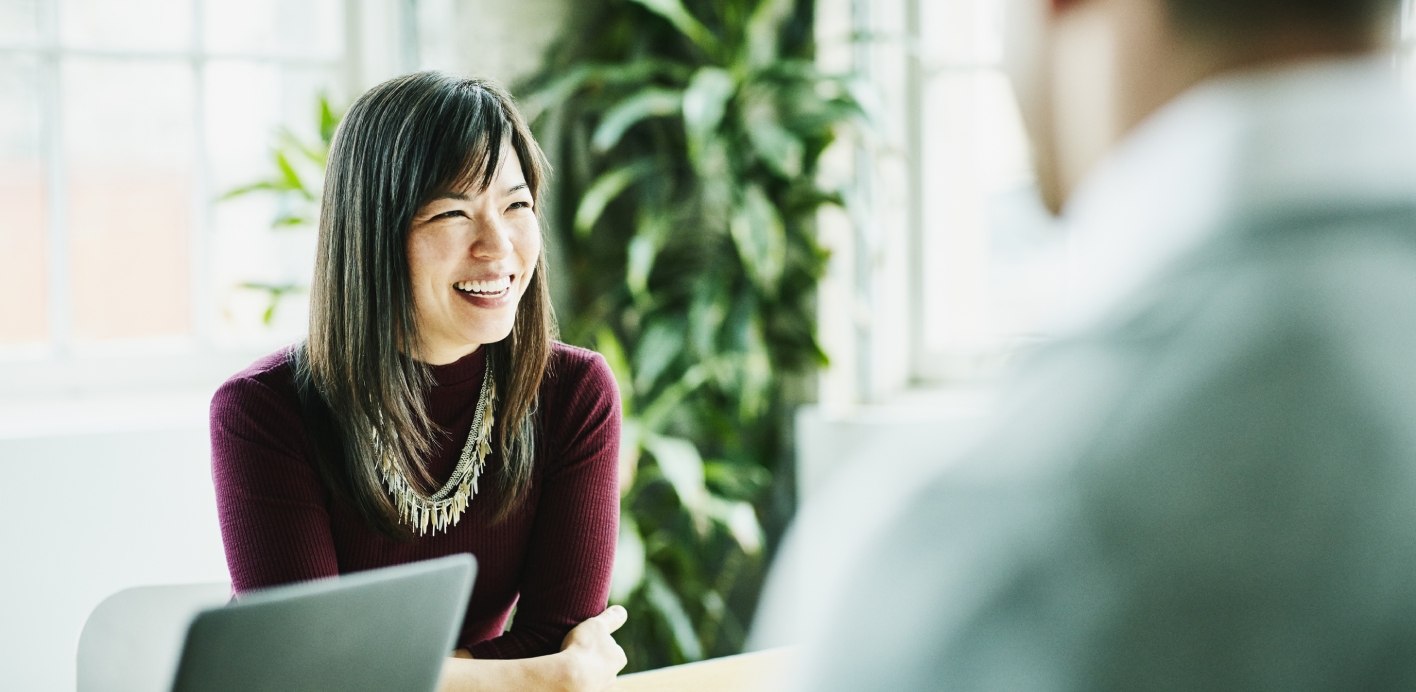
(428, 373)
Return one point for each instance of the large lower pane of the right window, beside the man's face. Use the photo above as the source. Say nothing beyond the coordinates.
(992, 260)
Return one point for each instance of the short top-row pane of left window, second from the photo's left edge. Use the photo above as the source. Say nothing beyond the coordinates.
(135, 25)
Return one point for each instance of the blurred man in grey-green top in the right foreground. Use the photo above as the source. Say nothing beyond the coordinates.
(1210, 480)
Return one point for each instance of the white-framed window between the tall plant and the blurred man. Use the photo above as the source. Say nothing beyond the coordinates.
(951, 261)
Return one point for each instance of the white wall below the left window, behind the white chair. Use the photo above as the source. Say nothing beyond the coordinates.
(88, 514)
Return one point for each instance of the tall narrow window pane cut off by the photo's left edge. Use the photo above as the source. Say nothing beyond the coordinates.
(22, 197)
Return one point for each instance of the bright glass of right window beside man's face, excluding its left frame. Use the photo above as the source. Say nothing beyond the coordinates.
(990, 261)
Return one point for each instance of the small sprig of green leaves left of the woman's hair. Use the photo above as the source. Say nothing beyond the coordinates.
(297, 182)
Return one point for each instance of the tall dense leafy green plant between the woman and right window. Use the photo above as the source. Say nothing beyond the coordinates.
(687, 138)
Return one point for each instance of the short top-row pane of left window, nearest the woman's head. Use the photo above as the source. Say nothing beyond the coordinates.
(287, 28)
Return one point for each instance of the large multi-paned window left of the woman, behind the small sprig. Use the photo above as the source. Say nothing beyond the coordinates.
(121, 124)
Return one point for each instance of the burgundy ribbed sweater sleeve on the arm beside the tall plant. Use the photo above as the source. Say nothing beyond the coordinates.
(566, 578)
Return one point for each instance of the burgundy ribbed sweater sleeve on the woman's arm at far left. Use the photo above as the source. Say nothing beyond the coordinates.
(274, 520)
